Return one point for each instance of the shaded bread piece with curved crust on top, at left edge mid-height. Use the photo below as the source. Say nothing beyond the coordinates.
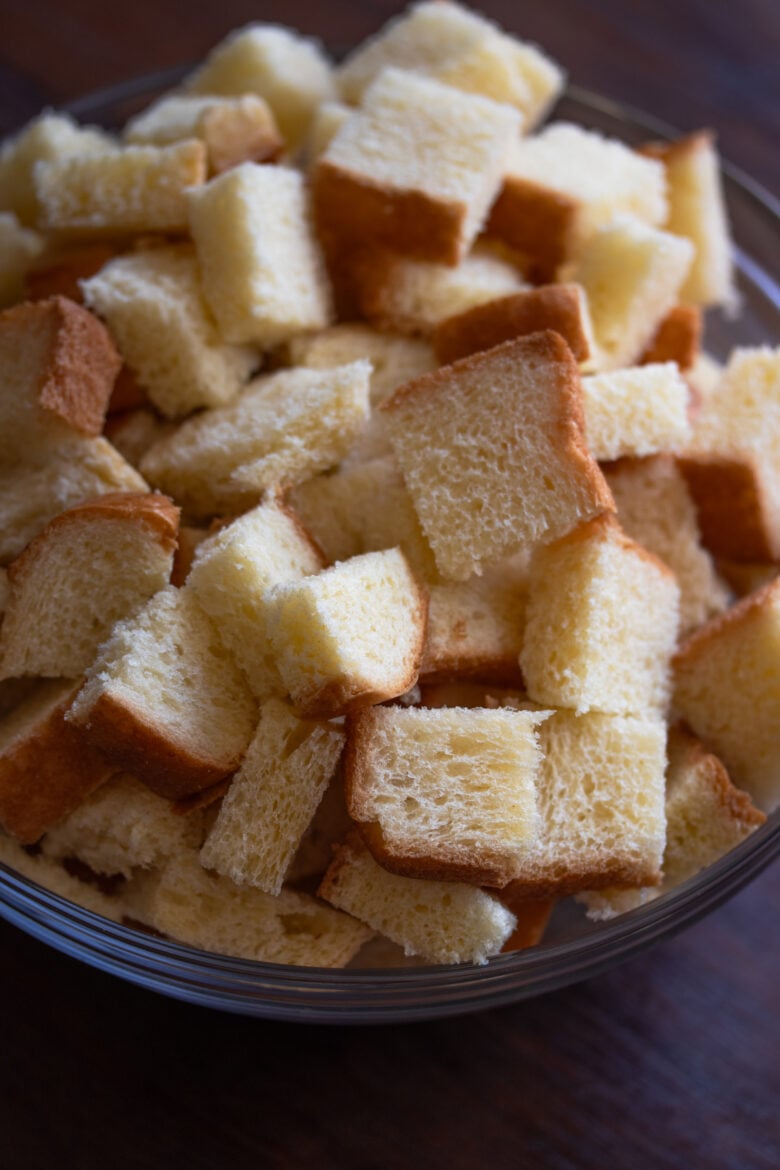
(91, 567)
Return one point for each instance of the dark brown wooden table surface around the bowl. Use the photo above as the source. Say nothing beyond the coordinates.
(672, 1061)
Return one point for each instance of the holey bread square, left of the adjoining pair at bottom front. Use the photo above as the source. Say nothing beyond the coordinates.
(448, 795)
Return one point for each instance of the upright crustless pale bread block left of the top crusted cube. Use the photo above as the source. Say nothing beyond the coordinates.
(263, 272)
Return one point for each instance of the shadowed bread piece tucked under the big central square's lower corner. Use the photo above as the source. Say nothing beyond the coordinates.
(475, 628)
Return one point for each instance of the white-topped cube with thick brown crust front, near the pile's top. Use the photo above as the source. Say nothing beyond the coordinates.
(416, 169)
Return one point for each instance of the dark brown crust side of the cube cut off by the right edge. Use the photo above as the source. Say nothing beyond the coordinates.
(731, 506)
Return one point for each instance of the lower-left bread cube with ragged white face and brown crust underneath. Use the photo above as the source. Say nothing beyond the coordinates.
(164, 699)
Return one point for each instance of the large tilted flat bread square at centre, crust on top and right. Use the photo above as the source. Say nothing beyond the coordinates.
(494, 456)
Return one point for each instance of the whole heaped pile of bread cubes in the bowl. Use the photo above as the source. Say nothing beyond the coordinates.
(385, 558)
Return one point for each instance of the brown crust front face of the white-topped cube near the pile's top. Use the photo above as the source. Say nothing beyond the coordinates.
(348, 205)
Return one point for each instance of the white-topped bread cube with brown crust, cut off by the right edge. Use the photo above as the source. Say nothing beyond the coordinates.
(733, 466)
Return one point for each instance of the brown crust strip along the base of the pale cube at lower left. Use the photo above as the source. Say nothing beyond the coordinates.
(167, 766)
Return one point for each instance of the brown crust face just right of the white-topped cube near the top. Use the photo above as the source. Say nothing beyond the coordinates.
(536, 222)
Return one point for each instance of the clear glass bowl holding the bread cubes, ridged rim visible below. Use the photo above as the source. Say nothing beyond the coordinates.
(574, 948)
